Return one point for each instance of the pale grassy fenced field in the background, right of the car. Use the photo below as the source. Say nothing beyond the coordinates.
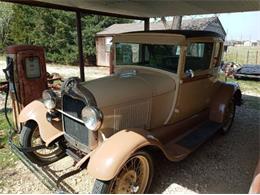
(243, 54)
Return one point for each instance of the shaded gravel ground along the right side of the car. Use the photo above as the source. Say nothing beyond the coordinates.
(225, 164)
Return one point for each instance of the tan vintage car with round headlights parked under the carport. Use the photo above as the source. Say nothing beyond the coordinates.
(164, 94)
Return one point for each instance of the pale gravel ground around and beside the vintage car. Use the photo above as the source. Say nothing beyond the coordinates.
(224, 164)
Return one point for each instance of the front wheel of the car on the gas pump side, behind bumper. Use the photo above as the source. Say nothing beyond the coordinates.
(30, 137)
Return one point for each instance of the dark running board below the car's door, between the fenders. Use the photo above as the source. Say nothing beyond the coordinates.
(178, 150)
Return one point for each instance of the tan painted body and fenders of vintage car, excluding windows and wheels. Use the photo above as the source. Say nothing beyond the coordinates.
(159, 102)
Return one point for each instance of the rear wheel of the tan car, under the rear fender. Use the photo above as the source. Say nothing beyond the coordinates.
(229, 116)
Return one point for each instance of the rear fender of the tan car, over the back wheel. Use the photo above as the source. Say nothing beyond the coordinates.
(224, 93)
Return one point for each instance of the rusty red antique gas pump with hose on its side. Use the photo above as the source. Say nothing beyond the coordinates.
(26, 75)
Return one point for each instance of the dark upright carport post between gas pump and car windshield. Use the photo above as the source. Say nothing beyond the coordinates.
(80, 47)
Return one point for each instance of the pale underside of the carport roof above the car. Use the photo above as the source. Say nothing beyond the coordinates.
(144, 8)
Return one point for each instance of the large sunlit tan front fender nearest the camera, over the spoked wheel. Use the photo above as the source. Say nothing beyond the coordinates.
(111, 155)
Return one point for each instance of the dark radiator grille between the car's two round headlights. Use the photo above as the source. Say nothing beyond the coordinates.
(72, 128)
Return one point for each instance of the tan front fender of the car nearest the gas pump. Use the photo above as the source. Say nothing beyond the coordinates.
(36, 111)
